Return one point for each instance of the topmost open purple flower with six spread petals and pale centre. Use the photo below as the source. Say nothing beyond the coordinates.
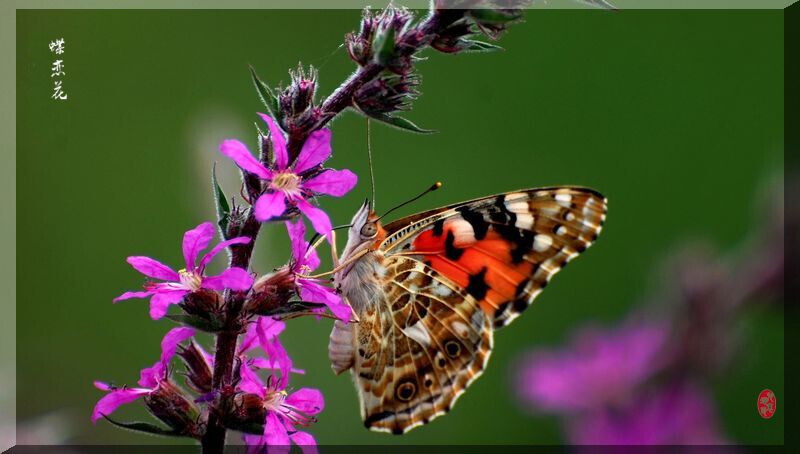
(296, 183)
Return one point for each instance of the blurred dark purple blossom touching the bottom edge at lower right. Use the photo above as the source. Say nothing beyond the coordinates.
(680, 414)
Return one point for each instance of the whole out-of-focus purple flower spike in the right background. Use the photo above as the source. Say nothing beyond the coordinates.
(646, 380)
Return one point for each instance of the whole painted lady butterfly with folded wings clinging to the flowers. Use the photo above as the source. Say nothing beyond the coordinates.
(430, 289)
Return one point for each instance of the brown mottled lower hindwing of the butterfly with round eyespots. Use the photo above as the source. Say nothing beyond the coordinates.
(417, 353)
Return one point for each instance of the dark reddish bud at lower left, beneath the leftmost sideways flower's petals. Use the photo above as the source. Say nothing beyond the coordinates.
(168, 403)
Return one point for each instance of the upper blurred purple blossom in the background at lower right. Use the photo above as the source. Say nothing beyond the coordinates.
(601, 366)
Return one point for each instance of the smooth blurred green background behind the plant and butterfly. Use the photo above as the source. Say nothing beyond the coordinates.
(677, 116)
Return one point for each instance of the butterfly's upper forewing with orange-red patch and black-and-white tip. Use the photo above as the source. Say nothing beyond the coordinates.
(503, 250)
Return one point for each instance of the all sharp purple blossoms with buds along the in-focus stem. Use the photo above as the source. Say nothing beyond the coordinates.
(266, 411)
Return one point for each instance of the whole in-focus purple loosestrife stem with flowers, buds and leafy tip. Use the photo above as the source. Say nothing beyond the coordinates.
(243, 383)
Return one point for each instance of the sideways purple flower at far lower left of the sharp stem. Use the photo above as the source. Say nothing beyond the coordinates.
(150, 378)
